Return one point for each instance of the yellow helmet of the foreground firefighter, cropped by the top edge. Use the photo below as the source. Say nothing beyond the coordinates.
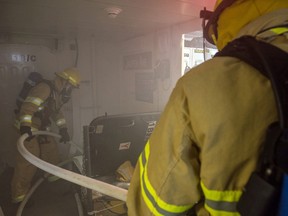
(230, 16)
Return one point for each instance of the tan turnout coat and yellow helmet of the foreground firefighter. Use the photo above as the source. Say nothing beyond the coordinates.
(209, 137)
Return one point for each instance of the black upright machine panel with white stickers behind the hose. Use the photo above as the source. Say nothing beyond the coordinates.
(109, 141)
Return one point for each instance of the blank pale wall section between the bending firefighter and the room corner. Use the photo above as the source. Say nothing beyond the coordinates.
(99, 92)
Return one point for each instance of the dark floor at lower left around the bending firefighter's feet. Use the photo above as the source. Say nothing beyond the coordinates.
(49, 199)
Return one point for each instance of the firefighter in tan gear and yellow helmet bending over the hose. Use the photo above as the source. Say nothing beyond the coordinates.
(42, 105)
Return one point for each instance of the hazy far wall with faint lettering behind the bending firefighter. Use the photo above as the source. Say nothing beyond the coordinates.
(19, 57)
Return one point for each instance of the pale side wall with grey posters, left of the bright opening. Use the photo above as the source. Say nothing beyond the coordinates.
(165, 47)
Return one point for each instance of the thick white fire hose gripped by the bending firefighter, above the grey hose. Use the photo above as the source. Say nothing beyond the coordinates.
(84, 181)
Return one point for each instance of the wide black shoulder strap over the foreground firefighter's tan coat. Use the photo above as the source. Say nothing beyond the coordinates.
(270, 61)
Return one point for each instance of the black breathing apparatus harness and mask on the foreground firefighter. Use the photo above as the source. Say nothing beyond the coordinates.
(266, 189)
